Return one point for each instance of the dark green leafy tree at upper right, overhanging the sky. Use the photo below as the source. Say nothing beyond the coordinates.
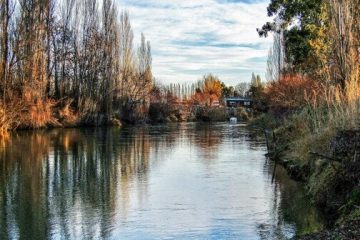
(301, 22)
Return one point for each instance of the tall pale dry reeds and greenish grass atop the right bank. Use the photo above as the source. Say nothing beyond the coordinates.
(313, 127)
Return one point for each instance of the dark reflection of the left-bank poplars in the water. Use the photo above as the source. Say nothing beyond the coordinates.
(56, 183)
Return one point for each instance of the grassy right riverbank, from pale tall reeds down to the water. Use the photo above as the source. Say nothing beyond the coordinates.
(319, 143)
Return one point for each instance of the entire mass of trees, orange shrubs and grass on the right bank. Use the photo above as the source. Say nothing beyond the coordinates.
(320, 94)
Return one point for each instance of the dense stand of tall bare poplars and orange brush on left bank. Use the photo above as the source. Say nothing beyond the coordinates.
(69, 62)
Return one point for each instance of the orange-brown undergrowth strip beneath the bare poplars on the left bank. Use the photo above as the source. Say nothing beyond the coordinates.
(49, 114)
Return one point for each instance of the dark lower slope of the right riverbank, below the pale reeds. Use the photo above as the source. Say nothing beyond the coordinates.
(326, 159)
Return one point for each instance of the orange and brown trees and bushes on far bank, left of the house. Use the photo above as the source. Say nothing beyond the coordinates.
(198, 101)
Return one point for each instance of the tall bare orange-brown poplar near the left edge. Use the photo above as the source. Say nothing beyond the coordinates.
(31, 52)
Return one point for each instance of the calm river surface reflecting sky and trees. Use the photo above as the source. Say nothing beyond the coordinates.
(186, 181)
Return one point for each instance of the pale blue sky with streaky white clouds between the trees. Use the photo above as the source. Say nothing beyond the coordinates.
(191, 38)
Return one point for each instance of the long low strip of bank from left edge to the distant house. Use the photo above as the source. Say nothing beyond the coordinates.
(56, 114)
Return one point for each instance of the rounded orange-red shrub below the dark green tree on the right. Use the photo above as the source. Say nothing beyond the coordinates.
(292, 91)
